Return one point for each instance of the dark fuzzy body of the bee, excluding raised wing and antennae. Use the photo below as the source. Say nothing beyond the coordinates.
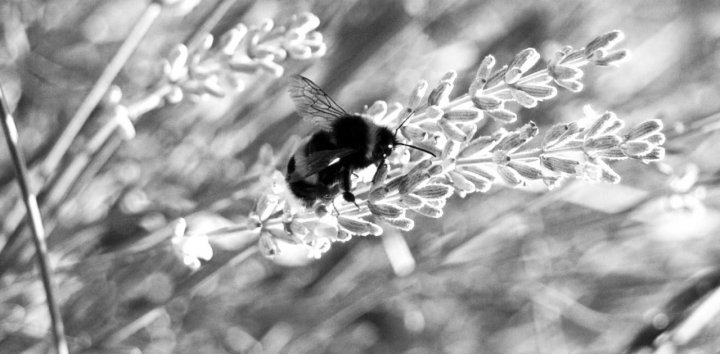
(359, 143)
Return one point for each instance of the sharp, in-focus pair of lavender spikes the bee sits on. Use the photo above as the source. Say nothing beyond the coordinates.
(410, 183)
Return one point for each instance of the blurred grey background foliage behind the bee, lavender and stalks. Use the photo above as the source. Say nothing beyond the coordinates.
(573, 270)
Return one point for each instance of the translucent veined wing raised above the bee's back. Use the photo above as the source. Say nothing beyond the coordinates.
(313, 104)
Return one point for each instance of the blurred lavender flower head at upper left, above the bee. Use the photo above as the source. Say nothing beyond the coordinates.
(215, 69)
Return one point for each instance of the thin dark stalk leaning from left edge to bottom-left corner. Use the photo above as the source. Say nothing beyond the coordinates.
(35, 221)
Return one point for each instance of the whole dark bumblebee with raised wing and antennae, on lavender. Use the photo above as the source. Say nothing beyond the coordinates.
(344, 143)
